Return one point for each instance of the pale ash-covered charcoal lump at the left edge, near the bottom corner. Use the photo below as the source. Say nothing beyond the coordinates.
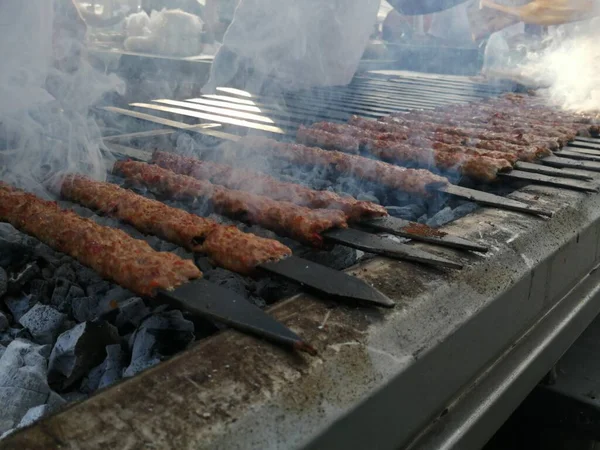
(23, 382)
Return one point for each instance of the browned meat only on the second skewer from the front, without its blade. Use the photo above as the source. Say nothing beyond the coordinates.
(228, 247)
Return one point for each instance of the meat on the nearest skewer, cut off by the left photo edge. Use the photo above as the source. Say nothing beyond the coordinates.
(112, 253)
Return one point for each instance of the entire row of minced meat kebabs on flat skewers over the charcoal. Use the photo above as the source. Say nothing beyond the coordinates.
(475, 140)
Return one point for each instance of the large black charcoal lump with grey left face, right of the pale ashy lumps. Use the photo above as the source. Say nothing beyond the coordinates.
(78, 350)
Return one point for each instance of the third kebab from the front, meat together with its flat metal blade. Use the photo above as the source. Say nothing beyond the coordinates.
(314, 227)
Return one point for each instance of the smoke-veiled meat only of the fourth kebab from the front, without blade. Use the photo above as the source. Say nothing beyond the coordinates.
(261, 184)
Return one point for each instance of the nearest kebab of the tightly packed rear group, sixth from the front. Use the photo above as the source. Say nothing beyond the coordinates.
(480, 167)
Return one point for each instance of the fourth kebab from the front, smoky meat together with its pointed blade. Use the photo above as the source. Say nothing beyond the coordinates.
(364, 213)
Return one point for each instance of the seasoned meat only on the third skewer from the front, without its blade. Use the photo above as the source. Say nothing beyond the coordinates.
(303, 224)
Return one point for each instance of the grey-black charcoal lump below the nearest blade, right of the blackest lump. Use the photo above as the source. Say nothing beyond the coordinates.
(159, 335)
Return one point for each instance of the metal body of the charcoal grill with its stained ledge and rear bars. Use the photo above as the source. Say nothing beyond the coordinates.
(442, 370)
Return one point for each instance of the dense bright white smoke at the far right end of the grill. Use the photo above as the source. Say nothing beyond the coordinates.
(569, 66)
